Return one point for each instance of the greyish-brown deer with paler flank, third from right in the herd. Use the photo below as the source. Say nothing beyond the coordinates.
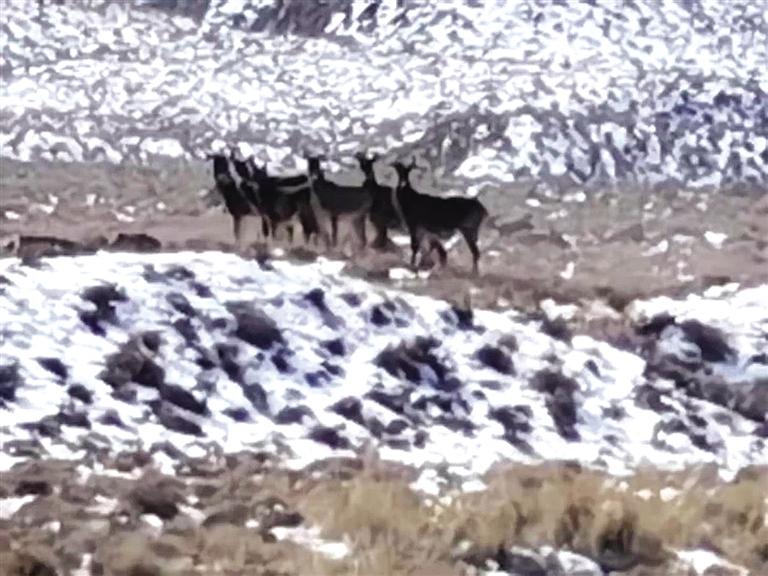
(332, 203)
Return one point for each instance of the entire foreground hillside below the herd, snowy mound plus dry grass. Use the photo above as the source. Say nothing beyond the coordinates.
(198, 413)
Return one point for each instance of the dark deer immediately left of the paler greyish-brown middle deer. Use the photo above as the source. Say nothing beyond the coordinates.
(283, 198)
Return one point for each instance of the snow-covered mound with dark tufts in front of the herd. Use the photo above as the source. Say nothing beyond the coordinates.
(206, 352)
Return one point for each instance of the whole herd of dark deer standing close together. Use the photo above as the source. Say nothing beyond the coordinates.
(320, 205)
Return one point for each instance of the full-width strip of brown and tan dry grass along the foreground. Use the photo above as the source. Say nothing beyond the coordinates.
(636, 521)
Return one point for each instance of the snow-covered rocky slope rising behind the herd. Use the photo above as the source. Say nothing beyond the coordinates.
(493, 91)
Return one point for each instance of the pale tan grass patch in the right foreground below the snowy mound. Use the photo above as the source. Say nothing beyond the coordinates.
(620, 522)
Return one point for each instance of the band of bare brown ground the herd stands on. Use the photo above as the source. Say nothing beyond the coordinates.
(614, 245)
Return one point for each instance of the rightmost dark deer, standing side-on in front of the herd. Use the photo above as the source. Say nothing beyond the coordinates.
(437, 218)
